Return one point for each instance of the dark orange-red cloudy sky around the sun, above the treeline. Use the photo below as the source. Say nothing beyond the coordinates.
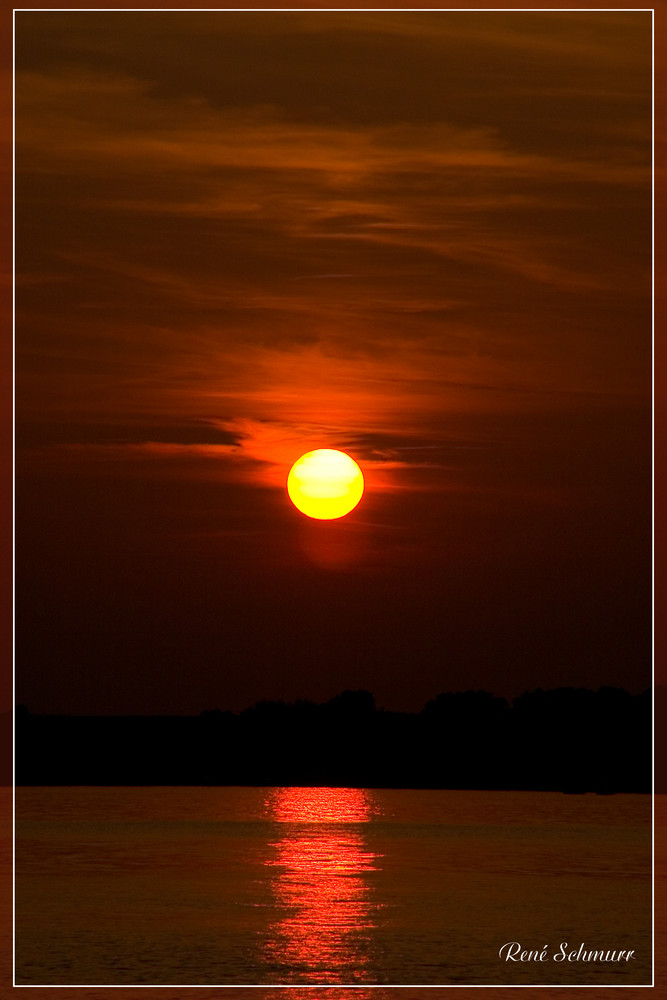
(423, 238)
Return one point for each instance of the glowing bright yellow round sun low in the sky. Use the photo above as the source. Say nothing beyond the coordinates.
(325, 484)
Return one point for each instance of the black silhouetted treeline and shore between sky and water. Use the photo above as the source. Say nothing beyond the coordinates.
(567, 739)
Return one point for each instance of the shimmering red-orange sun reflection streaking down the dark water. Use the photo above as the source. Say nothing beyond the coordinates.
(322, 886)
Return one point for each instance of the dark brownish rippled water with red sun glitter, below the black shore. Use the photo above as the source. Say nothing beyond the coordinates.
(320, 886)
